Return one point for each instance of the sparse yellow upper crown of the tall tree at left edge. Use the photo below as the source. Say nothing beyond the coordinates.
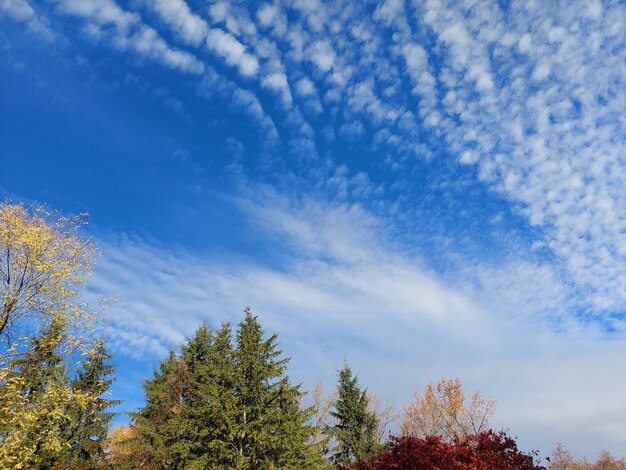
(43, 264)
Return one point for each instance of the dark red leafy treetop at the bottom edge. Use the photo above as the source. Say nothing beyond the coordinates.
(485, 451)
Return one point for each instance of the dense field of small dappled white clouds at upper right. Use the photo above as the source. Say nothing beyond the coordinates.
(546, 144)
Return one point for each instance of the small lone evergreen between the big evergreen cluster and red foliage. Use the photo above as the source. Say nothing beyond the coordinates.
(356, 427)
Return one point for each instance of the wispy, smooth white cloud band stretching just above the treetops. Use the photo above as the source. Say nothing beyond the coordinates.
(341, 289)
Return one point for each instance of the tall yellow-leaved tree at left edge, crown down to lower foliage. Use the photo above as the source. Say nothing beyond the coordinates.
(43, 264)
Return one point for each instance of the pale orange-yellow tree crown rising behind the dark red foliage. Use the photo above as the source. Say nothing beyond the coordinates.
(444, 411)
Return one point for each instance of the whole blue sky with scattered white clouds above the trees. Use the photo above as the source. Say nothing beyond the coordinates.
(424, 188)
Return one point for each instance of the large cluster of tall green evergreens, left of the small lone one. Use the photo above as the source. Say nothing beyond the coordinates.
(225, 405)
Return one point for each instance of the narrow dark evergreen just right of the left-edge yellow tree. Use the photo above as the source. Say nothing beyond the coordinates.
(89, 426)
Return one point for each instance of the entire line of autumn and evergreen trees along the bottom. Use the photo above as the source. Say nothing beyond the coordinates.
(222, 400)
